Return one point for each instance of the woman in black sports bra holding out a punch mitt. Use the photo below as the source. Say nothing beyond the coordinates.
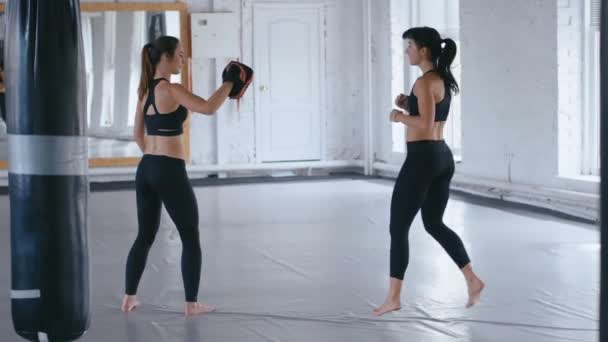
(161, 175)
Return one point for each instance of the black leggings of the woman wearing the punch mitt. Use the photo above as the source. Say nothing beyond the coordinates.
(162, 179)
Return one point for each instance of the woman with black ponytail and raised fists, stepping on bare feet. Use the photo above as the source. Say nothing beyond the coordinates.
(423, 183)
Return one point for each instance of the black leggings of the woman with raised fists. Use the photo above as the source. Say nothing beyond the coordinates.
(423, 183)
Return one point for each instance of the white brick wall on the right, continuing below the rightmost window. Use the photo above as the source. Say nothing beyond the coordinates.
(514, 111)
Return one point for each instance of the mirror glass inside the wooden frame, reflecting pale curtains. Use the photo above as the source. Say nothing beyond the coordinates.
(112, 50)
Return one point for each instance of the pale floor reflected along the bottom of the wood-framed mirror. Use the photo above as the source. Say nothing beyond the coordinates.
(98, 148)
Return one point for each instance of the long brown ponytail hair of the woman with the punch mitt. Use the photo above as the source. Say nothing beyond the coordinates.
(150, 57)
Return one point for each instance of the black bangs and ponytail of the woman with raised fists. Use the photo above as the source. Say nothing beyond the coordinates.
(441, 57)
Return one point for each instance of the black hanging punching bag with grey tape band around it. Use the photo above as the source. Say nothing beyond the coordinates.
(48, 184)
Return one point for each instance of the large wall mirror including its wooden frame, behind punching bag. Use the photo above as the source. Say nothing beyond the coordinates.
(113, 36)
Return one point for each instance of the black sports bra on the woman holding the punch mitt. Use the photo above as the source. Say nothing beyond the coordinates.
(170, 124)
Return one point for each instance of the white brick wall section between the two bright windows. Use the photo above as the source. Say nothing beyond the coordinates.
(509, 90)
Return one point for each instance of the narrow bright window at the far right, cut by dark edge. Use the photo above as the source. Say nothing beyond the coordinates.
(591, 115)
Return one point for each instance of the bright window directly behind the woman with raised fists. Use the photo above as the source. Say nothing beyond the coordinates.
(444, 16)
